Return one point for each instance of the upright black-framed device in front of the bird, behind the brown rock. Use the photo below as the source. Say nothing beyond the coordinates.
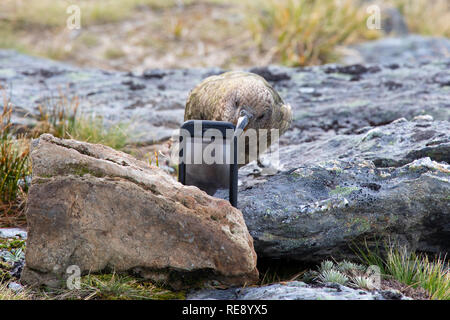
(208, 157)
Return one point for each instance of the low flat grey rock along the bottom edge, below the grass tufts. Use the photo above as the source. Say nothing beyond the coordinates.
(296, 290)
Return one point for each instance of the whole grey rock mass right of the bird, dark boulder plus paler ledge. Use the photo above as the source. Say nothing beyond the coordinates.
(390, 182)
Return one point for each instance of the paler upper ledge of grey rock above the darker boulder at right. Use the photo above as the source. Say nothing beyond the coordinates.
(392, 145)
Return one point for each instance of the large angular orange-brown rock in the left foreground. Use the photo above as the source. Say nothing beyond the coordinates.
(101, 209)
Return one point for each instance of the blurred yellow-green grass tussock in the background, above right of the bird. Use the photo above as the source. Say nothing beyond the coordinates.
(305, 32)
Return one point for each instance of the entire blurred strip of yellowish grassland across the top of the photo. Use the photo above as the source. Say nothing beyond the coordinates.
(139, 34)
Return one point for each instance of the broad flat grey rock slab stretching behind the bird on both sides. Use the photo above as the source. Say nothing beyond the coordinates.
(325, 100)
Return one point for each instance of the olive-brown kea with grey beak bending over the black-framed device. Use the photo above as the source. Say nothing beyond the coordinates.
(249, 102)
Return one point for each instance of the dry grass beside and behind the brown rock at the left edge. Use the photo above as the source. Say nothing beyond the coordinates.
(59, 117)
